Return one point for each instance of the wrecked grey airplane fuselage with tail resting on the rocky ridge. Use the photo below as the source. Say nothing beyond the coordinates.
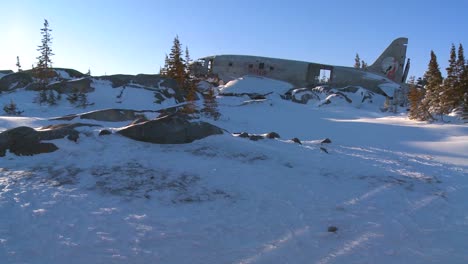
(385, 75)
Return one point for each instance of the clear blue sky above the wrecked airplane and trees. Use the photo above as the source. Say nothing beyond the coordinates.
(124, 36)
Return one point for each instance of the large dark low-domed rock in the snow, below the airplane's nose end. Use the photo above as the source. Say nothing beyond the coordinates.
(173, 129)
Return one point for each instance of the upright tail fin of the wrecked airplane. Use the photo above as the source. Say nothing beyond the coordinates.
(392, 61)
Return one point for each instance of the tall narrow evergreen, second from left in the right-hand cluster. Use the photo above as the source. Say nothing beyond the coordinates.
(448, 100)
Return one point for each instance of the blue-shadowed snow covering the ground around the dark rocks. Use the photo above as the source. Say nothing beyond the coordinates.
(397, 190)
